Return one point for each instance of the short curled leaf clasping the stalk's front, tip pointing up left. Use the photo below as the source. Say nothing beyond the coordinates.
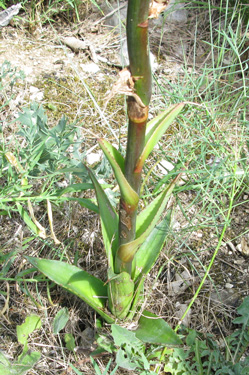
(128, 194)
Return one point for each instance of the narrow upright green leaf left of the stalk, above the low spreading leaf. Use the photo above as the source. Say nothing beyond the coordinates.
(109, 221)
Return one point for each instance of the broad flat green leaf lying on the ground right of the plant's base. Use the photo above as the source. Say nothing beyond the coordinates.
(154, 330)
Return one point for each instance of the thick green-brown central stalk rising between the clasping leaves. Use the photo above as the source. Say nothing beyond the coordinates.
(138, 49)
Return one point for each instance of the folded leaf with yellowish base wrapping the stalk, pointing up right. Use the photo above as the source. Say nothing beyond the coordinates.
(146, 221)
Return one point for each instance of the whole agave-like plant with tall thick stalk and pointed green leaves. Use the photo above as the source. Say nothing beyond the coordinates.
(132, 239)
